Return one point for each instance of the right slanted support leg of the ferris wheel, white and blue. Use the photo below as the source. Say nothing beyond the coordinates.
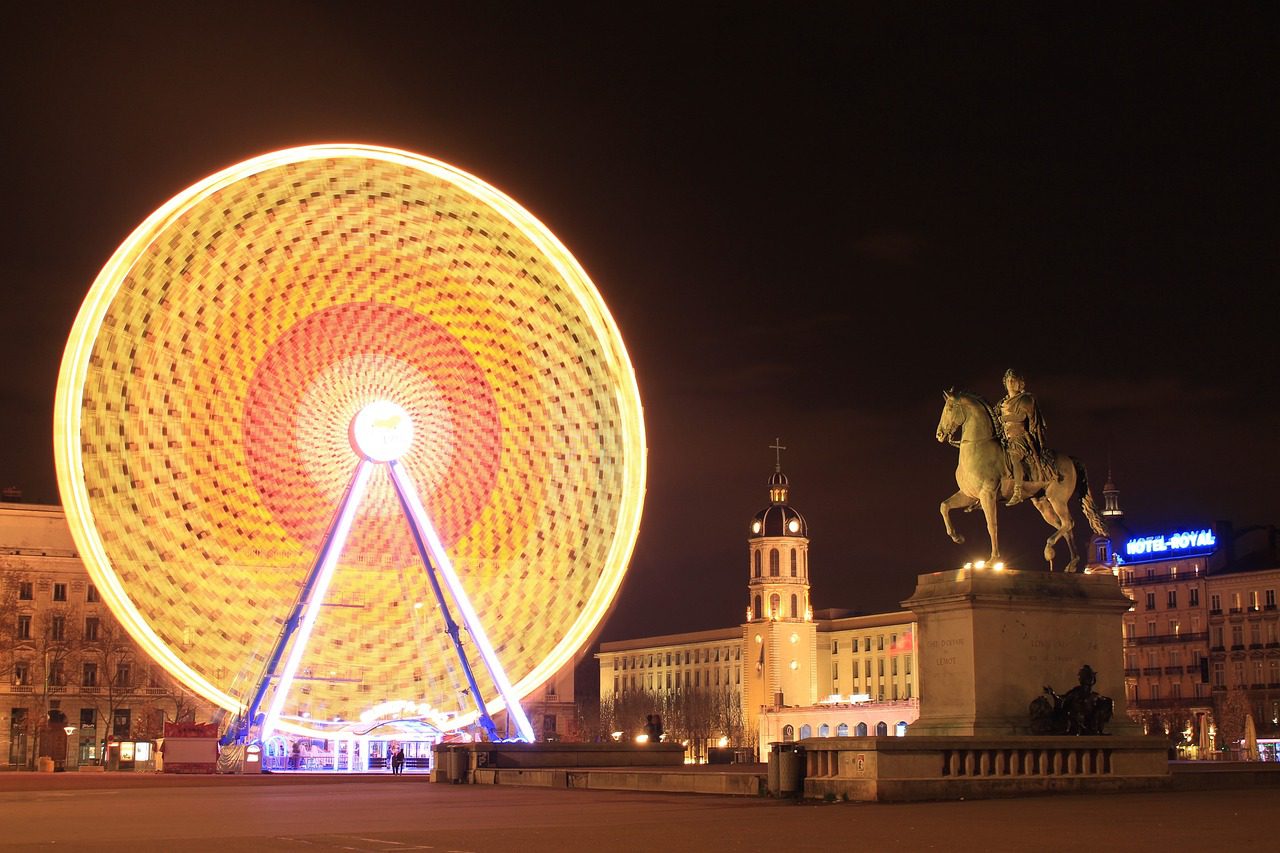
(435, 558)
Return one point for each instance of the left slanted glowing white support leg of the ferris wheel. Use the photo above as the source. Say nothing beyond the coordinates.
(303, 618)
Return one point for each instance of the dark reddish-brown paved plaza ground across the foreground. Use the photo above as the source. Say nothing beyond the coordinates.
(386, 815)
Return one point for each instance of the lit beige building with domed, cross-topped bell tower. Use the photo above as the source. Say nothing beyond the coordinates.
(787, 658)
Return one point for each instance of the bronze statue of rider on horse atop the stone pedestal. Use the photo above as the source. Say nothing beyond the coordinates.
(1003, 455)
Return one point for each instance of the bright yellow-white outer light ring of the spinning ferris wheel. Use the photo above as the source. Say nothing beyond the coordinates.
(85, 332)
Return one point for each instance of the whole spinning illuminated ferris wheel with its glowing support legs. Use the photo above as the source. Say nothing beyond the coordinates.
(344, 426)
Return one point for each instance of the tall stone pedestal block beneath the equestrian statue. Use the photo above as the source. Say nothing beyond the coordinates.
(991, 641)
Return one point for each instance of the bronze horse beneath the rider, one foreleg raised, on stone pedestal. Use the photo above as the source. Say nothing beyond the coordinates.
(984, 478)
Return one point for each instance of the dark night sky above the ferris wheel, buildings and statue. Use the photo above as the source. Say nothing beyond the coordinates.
(807, 226)
